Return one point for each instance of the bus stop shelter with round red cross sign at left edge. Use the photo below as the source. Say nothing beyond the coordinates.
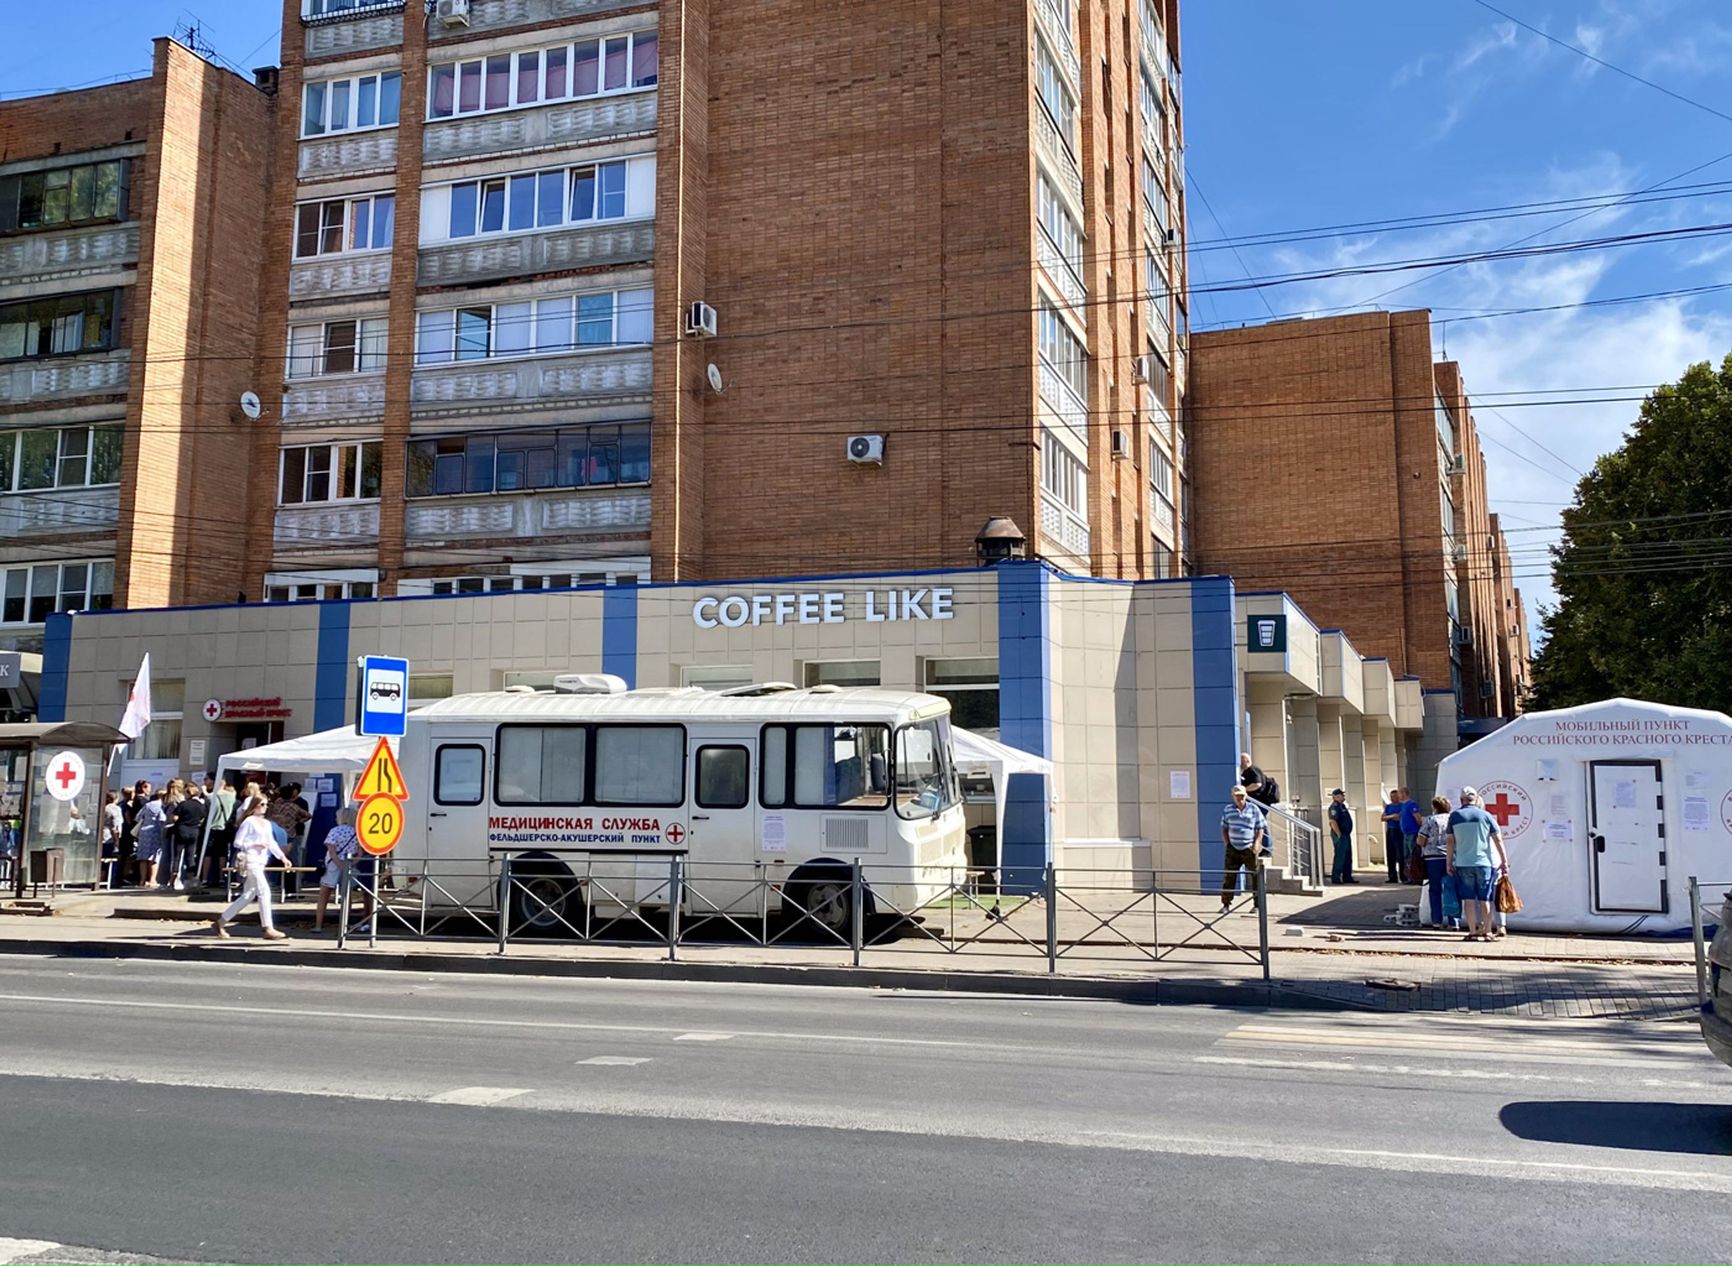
(53, 782)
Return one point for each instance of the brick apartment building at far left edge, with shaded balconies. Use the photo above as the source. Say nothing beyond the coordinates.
(131, 226)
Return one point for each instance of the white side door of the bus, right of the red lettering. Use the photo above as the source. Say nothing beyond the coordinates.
(723, 824)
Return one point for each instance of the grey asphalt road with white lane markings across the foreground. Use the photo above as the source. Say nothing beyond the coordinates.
(235, 1114)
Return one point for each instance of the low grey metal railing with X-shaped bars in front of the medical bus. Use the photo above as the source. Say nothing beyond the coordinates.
(662, 898)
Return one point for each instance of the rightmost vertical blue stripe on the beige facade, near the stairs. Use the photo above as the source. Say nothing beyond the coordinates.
(1215, 701)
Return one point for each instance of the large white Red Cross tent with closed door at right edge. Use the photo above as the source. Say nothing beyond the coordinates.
(1606, 811)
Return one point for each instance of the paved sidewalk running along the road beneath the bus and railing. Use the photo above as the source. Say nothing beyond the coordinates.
(1340, 966)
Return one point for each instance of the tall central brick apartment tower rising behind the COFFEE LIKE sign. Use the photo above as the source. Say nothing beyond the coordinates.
(957, 228)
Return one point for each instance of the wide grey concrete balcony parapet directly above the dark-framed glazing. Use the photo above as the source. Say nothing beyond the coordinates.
(614, 377)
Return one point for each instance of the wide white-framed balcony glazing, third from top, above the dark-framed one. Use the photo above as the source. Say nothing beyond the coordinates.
(534, 328)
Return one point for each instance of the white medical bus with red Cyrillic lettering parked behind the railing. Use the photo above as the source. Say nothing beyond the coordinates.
(770, 796)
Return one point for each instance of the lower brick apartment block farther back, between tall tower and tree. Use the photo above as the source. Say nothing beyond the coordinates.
(1343, 465)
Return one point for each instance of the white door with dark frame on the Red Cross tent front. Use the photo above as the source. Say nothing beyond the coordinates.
(1627, 837)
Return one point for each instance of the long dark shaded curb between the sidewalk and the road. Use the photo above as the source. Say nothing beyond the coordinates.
(1146, 993)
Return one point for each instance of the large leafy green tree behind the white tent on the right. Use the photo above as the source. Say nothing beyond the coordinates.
(1645, 567)
